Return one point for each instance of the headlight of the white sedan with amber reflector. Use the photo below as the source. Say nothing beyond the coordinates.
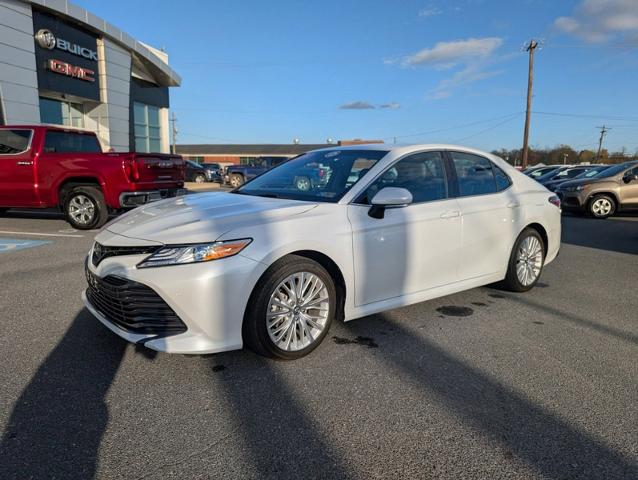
(185, 254)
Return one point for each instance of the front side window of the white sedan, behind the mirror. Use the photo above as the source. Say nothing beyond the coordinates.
(422, 174)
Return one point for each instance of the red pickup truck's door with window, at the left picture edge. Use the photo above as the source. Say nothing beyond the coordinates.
(17, 169)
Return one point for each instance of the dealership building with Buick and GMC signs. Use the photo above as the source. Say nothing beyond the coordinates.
(60, 64)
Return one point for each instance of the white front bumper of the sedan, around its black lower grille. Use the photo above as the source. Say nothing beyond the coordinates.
(209, 298)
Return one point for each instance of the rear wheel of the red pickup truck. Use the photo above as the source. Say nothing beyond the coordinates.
(85, 208)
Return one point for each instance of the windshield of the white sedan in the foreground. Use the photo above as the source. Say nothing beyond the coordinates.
(320, 176)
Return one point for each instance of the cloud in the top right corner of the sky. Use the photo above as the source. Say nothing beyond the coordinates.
(601, 20)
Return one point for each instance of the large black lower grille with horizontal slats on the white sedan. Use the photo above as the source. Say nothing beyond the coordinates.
(132, 306)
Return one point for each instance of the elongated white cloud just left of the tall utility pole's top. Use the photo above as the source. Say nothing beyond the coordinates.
(448, 54)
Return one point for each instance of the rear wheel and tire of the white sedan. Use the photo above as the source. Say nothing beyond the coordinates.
(526, 262)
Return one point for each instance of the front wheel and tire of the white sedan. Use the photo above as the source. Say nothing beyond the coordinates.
(268, 330)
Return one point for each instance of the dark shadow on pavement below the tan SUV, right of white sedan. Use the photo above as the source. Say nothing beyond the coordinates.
(615, 235)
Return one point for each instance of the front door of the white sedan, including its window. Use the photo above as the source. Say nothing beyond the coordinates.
(412, 248)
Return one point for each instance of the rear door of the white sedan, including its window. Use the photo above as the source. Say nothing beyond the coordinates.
(489, 210)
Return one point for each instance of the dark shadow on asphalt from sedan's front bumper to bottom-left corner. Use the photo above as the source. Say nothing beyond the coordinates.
(57, 423)
